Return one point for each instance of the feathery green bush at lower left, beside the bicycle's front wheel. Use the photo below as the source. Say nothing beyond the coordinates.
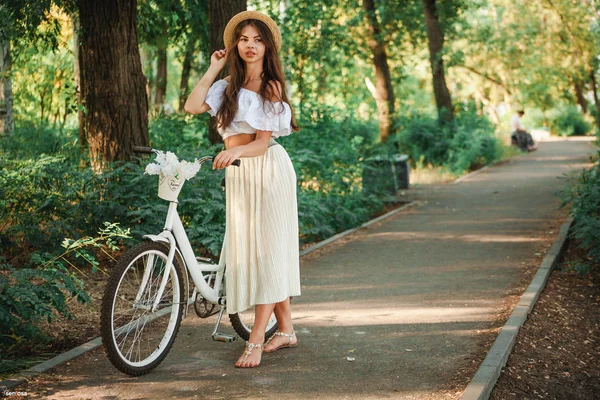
(31, 295)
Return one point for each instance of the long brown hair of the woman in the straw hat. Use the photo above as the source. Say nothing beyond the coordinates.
(272, 72)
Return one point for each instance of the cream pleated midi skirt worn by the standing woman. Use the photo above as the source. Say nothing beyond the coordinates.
(260, 250)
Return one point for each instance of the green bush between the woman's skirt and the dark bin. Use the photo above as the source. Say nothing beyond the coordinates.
(328, 155)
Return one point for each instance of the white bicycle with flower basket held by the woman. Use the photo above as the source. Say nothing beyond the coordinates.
(148, 293)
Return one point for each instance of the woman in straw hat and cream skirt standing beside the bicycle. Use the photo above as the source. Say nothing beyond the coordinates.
(261, 235)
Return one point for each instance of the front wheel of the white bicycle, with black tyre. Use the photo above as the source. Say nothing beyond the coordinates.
(136, 337)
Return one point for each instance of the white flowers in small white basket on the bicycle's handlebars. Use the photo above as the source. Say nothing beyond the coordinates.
(172, 173)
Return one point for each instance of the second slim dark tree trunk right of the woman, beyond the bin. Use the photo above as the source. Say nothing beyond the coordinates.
(436, 47)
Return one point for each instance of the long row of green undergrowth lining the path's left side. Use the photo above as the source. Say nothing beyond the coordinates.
(49, 192)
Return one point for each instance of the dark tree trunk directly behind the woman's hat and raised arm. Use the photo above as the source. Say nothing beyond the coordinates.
(219, 13)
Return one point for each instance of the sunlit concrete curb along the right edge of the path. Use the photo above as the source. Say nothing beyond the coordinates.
(484, 380)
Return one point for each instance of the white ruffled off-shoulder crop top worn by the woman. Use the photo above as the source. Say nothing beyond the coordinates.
(251, 115)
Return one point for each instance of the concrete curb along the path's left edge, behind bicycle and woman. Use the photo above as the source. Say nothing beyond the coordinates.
(22, 377)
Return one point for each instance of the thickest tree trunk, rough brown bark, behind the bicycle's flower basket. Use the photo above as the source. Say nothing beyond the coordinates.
(112, 82)
